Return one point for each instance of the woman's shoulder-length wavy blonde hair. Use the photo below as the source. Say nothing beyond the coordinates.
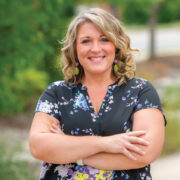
(113, 30)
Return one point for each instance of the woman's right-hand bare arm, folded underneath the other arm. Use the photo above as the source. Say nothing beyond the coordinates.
(155, 135)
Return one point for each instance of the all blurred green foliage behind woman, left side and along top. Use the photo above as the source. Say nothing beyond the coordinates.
(29, 48)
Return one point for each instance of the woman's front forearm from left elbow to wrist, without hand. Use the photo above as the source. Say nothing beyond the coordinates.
(61, 149)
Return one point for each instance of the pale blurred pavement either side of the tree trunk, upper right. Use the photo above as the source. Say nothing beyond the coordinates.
(140, 39)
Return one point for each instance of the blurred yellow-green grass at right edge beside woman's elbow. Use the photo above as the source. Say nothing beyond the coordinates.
(172, 112)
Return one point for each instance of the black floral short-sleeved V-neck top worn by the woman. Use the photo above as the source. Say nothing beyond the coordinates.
(71, 105)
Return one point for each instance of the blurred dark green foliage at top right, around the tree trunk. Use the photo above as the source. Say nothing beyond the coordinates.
(138, 11)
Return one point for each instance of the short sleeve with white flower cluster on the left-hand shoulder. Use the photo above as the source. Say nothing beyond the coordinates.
(48, 102)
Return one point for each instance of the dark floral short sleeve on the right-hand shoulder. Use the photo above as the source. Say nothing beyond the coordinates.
(148, 98)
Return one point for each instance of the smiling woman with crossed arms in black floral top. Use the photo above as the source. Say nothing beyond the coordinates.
(111, 124)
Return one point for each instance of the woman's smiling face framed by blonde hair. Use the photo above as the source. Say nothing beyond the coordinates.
(95, 52)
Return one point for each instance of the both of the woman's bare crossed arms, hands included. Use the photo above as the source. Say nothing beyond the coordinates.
(118, 152)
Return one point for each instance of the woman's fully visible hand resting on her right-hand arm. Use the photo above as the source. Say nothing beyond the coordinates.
(125, 143)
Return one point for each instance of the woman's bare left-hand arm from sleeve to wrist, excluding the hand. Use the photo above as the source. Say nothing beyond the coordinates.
(57, 147)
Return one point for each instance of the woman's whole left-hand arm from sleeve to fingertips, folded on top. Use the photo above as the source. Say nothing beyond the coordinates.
(53, 146)
